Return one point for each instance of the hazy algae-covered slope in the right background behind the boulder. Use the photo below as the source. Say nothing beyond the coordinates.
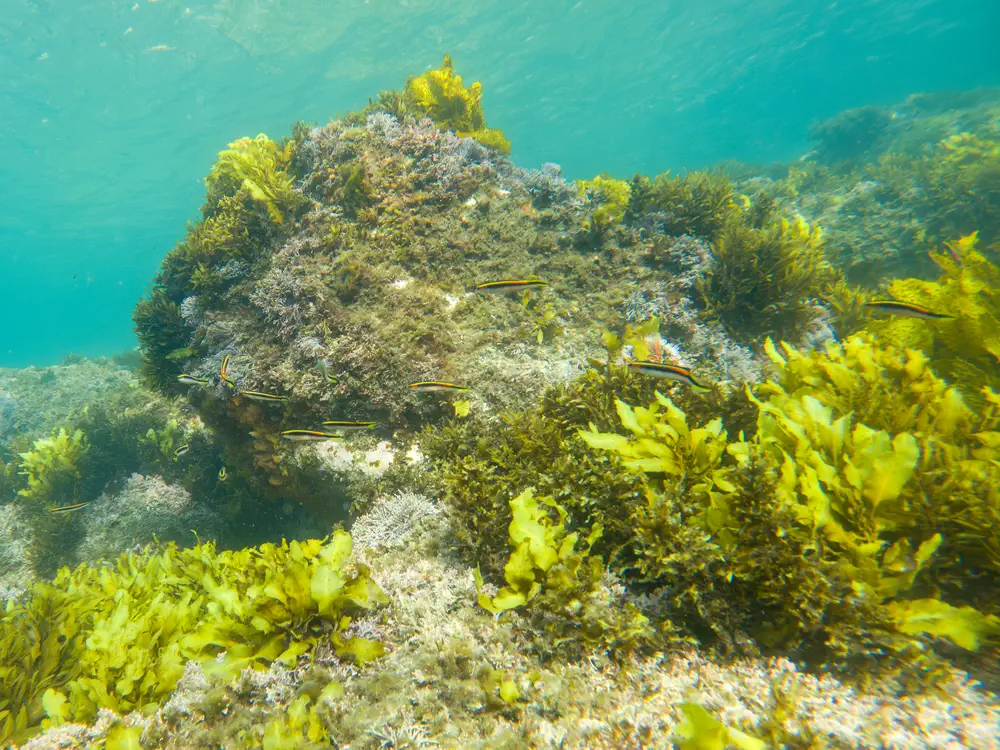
(889, 183)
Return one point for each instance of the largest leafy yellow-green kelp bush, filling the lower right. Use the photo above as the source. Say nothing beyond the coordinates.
(863, 511)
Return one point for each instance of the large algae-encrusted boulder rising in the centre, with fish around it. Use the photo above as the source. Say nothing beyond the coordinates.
(375, 276)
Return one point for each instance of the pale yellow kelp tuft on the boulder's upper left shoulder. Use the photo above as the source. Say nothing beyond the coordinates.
(259, 166)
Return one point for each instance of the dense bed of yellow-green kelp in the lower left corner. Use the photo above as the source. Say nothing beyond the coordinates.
(118, 637)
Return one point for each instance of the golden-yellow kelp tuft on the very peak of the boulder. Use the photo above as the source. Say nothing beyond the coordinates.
(440, 95)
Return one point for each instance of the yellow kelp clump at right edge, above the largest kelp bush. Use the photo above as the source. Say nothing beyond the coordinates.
(965, 350)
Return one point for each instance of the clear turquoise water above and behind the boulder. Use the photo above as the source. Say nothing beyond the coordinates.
(112, 112)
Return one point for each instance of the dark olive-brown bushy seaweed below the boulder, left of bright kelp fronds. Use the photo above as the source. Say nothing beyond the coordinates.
(478, 465)
